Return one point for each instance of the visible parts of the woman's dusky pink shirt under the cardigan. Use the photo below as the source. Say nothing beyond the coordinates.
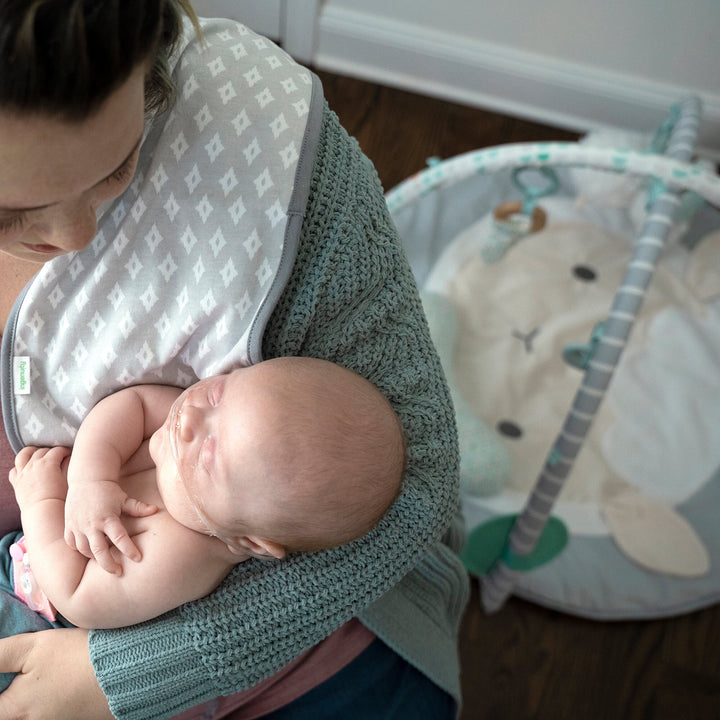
(303, 674)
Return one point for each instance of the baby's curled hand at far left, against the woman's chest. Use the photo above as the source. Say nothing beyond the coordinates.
(39, 474)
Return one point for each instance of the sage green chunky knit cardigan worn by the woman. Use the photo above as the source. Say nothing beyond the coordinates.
(351, 299)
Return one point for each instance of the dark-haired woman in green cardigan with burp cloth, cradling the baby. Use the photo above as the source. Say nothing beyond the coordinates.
(179, 235)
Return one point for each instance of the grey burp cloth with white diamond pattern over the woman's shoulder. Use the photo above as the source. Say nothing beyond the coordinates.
(174, 286)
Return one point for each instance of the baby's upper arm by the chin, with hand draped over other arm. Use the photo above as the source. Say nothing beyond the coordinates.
(110, 434)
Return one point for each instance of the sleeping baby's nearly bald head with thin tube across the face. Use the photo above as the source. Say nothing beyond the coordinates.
(292, 454)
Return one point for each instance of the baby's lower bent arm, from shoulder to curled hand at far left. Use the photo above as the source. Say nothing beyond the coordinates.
(178, 564)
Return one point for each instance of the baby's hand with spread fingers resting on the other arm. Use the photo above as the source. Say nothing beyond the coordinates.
(93, 524)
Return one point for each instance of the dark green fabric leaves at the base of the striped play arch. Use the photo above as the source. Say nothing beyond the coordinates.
(487, 543)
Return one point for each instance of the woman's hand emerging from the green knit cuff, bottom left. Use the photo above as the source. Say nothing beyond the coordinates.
(56, 680)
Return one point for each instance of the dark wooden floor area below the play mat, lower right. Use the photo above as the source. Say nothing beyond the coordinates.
(531, 662)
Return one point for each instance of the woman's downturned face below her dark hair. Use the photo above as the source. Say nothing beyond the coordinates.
(55, 174)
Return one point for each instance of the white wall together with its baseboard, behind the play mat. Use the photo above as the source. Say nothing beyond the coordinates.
(574, 63)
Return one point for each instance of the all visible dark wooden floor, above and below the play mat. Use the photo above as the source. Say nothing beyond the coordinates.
(525, 661)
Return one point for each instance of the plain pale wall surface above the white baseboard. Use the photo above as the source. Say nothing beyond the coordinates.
(663, 40)
